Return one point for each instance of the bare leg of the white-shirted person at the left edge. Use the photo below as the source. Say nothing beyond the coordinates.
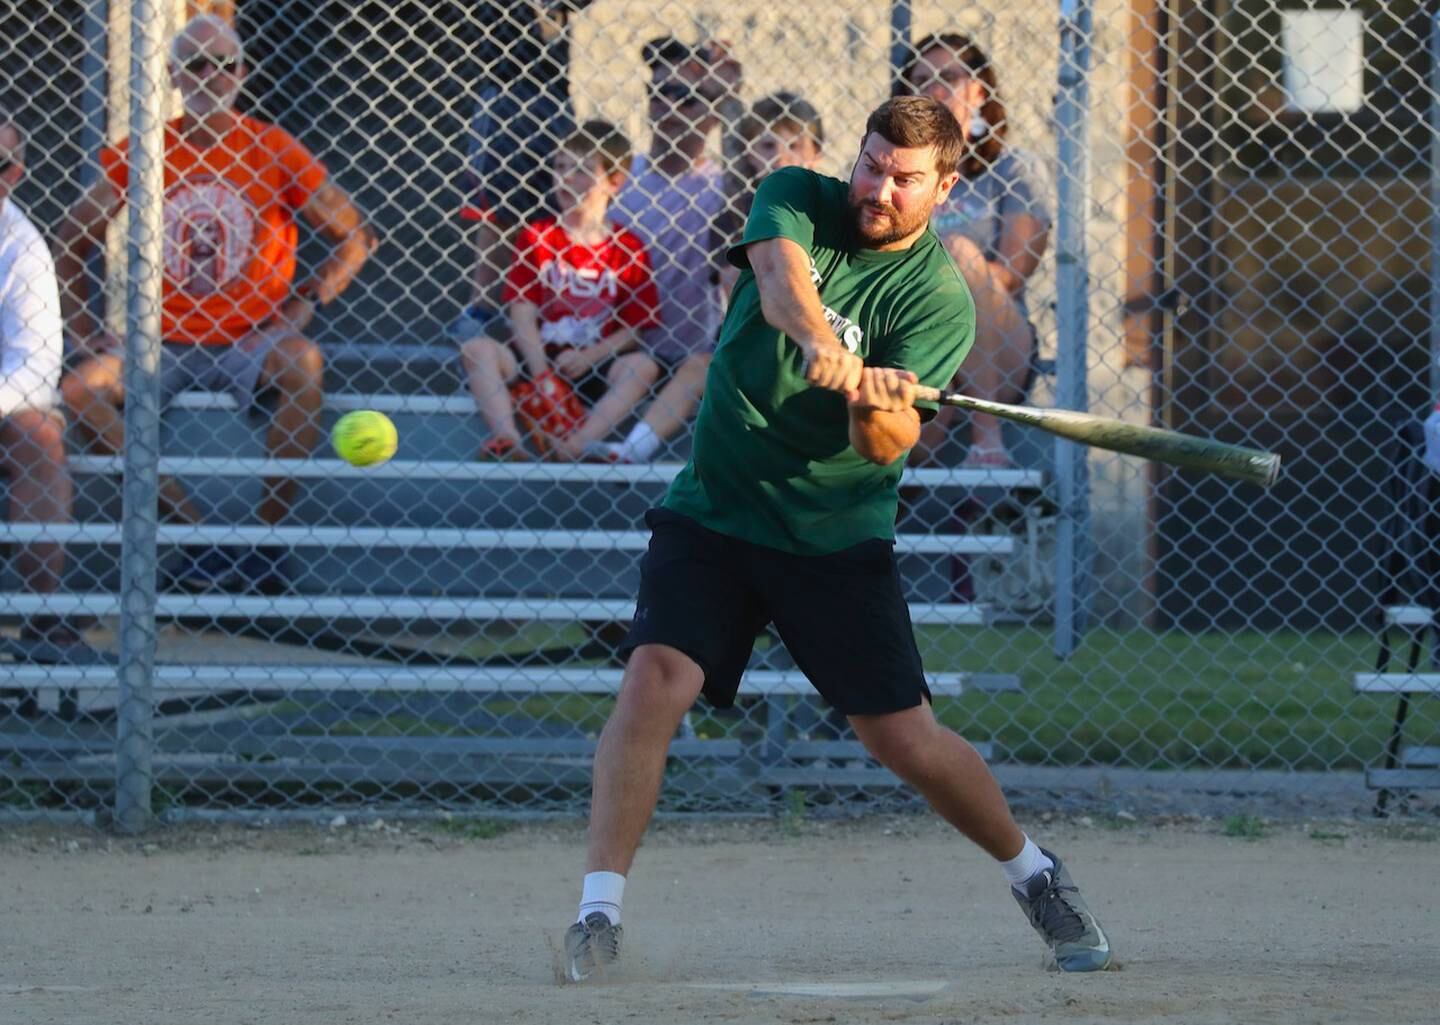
(32, 451)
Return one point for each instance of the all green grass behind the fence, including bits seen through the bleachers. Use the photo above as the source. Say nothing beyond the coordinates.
(1243, 700)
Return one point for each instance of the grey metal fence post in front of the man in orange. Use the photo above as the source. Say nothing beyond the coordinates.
(135, 731)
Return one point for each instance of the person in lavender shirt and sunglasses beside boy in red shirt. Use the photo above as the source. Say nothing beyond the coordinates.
(672, 204)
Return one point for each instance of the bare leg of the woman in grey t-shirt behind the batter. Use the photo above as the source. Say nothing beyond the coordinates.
(997, 366)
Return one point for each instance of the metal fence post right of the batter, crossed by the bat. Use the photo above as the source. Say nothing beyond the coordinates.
(1072, 317)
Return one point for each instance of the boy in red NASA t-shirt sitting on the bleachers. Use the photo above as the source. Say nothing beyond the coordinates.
(580, 292)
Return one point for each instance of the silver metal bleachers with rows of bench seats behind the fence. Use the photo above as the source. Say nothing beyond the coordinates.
(431, 542)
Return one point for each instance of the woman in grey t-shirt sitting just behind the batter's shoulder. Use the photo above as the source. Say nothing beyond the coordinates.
(996, 227)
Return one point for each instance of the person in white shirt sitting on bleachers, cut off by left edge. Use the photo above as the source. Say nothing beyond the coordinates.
(32, 428)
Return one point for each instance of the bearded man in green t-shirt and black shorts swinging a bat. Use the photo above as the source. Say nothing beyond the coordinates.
(787, 515)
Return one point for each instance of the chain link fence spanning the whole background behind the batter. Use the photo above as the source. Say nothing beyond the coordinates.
(1213, 215)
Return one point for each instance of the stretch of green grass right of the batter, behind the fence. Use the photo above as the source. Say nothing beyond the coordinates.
(1245, 700)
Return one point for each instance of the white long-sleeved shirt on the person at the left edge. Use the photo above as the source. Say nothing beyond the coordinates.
(31, 336)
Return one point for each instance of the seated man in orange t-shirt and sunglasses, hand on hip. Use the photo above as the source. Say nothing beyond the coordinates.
(234, 316)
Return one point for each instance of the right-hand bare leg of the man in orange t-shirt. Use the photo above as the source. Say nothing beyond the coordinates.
(296, 369)
